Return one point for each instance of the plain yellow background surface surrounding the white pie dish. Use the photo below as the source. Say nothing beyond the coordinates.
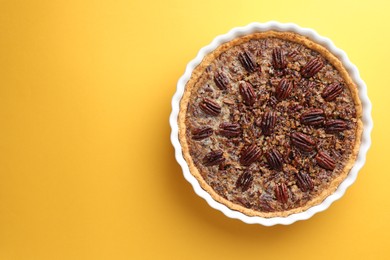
(87, 170)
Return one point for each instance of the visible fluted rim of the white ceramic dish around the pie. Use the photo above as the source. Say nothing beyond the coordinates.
(352, 70)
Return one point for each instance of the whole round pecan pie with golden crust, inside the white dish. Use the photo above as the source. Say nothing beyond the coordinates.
(270, 123)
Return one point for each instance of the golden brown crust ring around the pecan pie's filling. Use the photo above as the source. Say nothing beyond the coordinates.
(286, 36)
